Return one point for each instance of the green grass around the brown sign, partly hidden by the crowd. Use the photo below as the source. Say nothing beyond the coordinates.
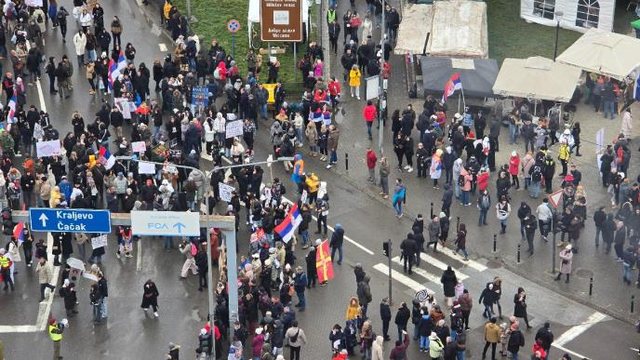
(213, 16)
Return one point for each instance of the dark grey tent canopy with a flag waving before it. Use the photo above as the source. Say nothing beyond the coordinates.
(477, 75)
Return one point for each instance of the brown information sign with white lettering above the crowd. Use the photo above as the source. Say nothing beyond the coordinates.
(281, 20)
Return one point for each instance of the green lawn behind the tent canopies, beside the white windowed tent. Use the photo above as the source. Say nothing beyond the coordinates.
(511, 36)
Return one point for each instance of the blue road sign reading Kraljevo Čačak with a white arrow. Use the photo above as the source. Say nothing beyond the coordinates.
(70, 220)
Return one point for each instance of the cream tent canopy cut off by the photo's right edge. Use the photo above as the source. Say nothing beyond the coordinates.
(605, 53)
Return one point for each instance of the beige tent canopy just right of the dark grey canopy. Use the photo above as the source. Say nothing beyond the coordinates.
(537, 78)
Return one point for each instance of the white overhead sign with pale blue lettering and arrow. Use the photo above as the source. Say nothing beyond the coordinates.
(165, 223)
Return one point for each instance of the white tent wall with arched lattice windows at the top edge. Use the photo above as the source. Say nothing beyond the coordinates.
(578, 15)
